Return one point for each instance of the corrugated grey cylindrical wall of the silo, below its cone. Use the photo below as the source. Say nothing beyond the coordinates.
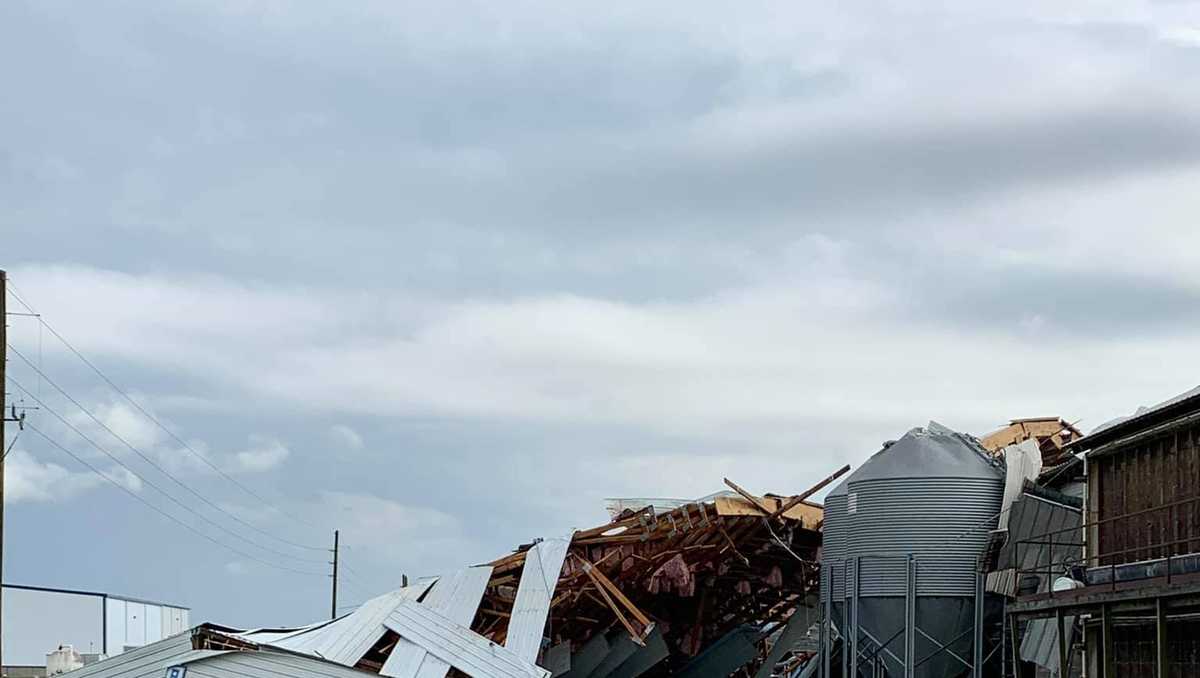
(943, 521)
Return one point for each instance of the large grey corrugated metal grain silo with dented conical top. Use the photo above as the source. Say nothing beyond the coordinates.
(917, 518)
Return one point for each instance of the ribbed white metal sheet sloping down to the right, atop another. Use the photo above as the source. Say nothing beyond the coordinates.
(459, 646)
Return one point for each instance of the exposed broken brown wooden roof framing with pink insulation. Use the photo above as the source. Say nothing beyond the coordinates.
(698, 571)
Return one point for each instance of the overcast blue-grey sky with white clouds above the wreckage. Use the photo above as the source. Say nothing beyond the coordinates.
(445, 275)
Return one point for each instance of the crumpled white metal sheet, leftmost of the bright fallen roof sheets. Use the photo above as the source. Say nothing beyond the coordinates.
(347, 639)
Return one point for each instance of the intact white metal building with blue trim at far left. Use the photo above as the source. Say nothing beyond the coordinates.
(39, 620)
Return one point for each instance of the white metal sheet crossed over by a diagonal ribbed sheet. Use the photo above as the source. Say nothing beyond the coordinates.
(457, 597)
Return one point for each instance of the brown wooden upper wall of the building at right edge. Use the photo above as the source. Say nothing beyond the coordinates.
(1144, 476)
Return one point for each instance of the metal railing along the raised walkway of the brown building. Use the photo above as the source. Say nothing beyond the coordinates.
(1075, 553)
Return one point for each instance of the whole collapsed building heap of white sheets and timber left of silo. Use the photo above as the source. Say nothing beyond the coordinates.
(707, 589)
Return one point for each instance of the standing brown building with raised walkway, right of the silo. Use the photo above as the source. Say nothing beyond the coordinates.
(1136, 613)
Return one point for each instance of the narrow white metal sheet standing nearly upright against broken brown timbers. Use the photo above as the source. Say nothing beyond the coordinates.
(539, 579)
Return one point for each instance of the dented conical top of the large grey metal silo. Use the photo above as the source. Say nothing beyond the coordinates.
(934, 452)
